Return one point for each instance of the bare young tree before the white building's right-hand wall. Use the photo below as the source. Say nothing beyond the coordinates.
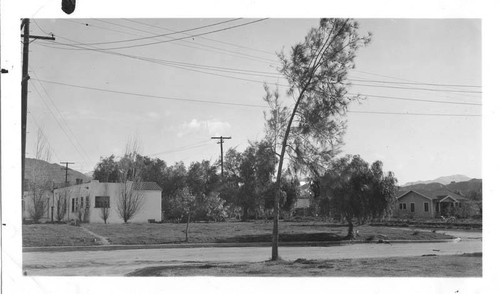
(130, 199)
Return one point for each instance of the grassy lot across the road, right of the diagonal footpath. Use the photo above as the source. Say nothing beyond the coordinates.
(238, 232)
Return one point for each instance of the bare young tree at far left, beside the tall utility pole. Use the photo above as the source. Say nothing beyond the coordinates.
(40, 182)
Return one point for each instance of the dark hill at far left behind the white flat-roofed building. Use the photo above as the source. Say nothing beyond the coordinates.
(54, 172)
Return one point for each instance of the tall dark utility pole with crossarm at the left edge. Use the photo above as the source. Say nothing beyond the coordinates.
(24, 87)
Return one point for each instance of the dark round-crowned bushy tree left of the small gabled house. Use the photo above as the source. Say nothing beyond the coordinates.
(357, 191)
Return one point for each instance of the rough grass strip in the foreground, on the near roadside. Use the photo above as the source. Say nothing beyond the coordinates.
(467, 265)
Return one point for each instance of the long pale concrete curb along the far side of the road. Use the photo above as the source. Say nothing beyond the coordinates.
(214, 245)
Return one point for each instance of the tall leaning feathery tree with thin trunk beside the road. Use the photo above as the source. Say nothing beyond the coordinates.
(316, 70)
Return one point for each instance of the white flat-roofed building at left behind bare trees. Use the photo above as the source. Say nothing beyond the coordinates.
(87, 201)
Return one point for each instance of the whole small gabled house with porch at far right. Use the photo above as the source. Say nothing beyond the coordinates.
(429, 204)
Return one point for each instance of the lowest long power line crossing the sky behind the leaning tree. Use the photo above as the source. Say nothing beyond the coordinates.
(224, 103)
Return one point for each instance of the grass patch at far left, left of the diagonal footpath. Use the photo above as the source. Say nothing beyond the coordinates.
(55, 235)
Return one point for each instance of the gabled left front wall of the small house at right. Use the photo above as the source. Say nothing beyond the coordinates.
(418, 201)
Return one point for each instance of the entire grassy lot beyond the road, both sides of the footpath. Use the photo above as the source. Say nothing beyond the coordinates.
(224, 232)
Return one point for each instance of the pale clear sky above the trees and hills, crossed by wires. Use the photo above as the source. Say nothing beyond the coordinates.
(153, 94)
